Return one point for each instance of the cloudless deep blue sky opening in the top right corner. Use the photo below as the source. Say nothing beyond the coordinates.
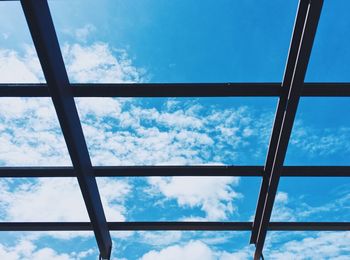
(330, 54)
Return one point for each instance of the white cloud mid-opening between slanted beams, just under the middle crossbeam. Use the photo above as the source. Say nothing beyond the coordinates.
(214, 195)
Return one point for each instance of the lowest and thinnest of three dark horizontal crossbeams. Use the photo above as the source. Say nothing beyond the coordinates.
(172, 226)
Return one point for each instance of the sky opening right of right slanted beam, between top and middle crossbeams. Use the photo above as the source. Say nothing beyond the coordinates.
(321, 133)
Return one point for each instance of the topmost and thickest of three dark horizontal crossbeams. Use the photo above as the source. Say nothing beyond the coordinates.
(178, 90)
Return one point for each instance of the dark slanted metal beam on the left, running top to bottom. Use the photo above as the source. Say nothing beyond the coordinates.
(41, 27)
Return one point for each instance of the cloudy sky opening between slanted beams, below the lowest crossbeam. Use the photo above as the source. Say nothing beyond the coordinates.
(182, 245)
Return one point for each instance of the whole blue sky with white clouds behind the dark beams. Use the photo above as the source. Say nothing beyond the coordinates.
(175, 41)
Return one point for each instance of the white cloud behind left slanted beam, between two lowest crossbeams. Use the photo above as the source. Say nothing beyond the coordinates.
(58, 199)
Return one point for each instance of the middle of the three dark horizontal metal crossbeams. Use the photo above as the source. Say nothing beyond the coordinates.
(175, 171)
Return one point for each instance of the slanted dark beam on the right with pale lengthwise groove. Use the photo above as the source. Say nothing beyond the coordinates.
(294, 79)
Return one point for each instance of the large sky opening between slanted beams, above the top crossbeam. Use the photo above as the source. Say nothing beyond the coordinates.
(174, 41)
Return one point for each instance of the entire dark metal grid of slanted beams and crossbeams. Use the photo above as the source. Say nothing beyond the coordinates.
(43, 33)
